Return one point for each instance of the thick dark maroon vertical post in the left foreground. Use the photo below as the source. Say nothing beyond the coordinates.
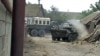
(18, 28)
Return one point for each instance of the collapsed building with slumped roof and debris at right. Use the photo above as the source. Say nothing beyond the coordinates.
(92, 23)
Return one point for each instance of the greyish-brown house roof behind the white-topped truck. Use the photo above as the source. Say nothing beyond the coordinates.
(34, 10)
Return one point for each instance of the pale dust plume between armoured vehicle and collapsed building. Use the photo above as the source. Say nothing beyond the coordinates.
(80, 28)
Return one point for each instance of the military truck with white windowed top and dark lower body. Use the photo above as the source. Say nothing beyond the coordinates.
(37, 26)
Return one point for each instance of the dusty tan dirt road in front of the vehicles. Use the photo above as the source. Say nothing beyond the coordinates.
(43, 46)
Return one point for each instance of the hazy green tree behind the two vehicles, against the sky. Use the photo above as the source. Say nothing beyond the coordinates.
(55, 15)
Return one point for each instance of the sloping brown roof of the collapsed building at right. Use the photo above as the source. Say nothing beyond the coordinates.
(90, 17)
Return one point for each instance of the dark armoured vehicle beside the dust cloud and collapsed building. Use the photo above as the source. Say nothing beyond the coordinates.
(64, 32)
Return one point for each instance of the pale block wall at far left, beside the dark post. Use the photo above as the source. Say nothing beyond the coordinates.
(5, 31)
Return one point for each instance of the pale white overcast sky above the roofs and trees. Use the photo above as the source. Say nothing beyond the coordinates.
(66, 5)
